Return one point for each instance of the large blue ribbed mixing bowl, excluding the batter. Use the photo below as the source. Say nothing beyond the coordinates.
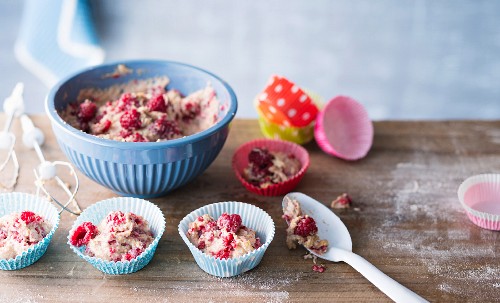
(141, 169)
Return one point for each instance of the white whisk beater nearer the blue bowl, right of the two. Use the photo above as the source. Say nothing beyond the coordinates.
(34, 138)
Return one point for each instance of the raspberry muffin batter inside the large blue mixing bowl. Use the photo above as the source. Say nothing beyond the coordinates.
(142, 111)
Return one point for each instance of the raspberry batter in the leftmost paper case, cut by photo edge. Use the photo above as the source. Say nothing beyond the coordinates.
(19, 231)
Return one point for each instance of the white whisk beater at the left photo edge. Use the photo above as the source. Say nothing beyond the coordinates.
(13, 107)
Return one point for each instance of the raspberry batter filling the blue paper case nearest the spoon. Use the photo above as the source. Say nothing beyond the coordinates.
(223, 238)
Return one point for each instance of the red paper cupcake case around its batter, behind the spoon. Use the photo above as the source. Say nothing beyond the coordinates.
(240, 162)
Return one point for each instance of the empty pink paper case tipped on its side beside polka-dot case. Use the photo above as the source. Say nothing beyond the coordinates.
(343, 129)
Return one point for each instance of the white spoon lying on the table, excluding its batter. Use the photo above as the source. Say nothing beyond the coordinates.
(331, 228)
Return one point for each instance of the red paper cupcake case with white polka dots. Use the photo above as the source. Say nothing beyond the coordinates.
(284, 103)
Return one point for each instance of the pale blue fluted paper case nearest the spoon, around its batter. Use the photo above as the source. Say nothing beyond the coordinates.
(252, 217)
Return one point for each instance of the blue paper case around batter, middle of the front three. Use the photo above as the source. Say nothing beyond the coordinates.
(98, 211)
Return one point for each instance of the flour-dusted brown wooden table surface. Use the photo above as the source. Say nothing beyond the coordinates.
(406, 220)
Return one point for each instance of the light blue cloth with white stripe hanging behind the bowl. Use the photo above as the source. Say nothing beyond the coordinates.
(57, 38)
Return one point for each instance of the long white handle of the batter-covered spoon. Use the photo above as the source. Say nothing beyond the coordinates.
(394, 290)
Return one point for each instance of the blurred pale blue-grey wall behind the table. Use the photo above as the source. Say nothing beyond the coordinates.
(421, 59)
